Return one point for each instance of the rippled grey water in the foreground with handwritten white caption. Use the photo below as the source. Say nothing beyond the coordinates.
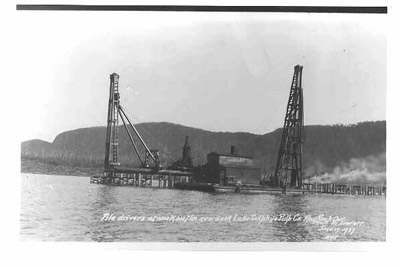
(61, 208)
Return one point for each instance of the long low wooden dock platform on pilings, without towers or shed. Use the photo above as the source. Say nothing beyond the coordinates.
(174, 179)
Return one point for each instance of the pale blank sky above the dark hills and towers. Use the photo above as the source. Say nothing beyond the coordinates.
(215, 71)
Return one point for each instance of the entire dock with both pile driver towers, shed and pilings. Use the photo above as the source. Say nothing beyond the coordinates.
(224, 173)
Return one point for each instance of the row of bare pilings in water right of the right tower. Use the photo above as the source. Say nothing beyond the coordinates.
(340, 188)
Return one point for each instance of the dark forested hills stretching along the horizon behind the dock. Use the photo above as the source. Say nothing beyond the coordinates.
(325, 146)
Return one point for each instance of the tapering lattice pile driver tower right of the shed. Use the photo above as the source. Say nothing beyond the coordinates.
(289, 167)
